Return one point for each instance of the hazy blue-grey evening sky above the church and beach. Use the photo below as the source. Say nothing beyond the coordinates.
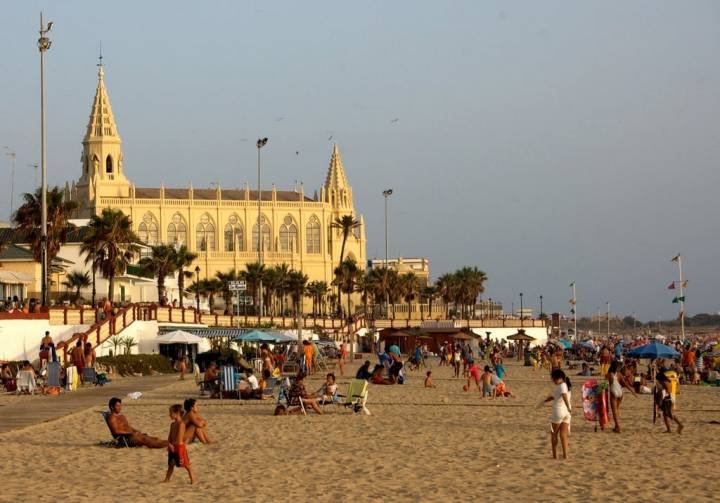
(543, 142)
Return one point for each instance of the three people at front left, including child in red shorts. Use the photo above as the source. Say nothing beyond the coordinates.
(187, 425)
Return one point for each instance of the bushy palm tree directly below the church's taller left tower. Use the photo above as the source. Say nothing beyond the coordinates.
(111, 244)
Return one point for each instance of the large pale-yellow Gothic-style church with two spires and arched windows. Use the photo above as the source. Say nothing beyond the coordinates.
(221, 225)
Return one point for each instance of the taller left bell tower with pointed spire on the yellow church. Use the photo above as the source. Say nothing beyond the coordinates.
(102, 156)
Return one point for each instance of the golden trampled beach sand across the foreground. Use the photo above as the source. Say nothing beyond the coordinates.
(418, 445)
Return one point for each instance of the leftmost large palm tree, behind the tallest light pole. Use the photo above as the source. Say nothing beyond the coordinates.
(28, 221)
